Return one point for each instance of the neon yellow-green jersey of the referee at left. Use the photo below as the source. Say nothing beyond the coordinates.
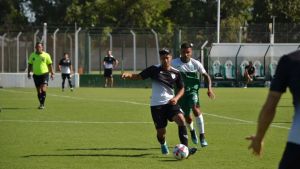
(40, 62)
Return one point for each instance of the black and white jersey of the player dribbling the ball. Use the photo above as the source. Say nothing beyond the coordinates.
(163, 83)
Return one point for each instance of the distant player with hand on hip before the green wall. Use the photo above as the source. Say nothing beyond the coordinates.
(109, 63)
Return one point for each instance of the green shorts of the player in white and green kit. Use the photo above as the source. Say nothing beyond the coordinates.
(187, 101)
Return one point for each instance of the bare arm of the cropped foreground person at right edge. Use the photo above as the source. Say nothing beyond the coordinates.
(265, 118)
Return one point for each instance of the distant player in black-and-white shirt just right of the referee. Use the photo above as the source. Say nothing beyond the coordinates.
(66, 69)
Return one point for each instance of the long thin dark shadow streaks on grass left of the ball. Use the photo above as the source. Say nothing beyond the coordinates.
(136, 155)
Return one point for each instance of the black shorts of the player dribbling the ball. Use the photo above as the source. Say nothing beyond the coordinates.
(162, 113)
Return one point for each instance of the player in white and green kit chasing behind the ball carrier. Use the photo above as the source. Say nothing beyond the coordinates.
(190, 70)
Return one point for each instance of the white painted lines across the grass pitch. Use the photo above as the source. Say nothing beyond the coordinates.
(122, 101)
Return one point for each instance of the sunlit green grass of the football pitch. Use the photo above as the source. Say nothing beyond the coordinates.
(112, 129)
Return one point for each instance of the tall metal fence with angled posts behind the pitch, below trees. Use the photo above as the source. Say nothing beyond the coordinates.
(134, 48)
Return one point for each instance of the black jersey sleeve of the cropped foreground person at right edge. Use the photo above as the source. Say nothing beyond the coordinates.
(280, 81)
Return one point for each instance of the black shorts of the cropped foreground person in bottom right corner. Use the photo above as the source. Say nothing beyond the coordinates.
(290, 157)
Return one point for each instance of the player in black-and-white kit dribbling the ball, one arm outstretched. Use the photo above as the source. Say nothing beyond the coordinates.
(164, 105)
